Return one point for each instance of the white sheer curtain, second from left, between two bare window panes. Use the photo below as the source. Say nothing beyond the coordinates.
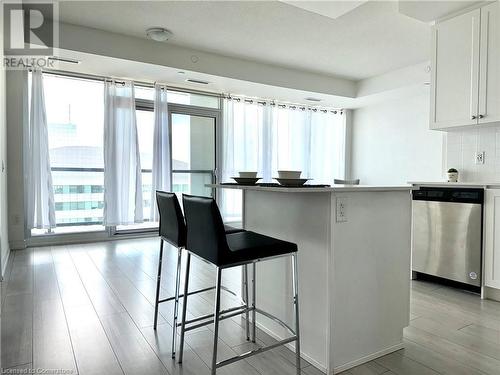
(122, 168)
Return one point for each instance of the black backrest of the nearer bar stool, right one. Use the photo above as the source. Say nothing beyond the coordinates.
(206, 236)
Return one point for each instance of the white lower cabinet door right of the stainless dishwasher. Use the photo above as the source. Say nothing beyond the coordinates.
(492, 239)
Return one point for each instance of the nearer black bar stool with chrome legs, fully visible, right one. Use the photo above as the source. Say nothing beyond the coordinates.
(207, 239)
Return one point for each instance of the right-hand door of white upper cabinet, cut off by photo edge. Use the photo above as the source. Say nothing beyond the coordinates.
(489, 83)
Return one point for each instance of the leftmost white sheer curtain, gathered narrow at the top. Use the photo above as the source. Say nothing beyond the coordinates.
(40, 195)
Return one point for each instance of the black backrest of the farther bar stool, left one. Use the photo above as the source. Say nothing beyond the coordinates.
(172, 225)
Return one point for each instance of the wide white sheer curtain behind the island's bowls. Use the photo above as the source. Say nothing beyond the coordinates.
(267, 138)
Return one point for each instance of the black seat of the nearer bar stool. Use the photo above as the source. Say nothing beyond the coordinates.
(246, 247)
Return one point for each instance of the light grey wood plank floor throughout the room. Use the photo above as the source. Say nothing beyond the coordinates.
(89, 309)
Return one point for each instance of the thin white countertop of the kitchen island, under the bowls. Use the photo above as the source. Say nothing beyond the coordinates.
(333, 188)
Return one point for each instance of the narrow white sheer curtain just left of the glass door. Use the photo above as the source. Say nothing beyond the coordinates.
(162, 166)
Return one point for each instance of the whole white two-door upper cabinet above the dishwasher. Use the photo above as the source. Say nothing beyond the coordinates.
(465, 82)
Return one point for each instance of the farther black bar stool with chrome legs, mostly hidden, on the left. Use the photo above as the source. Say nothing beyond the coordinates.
(172, 229)
